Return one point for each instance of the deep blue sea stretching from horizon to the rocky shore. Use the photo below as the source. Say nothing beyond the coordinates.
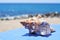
(14, 9)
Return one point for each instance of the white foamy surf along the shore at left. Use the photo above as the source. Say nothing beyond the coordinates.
(7, 17)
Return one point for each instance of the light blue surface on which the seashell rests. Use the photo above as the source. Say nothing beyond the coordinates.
(22, 34)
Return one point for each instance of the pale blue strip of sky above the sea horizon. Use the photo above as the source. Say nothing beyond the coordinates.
(29, 1)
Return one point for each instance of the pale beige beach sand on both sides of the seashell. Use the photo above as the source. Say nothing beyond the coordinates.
(13, 24)
